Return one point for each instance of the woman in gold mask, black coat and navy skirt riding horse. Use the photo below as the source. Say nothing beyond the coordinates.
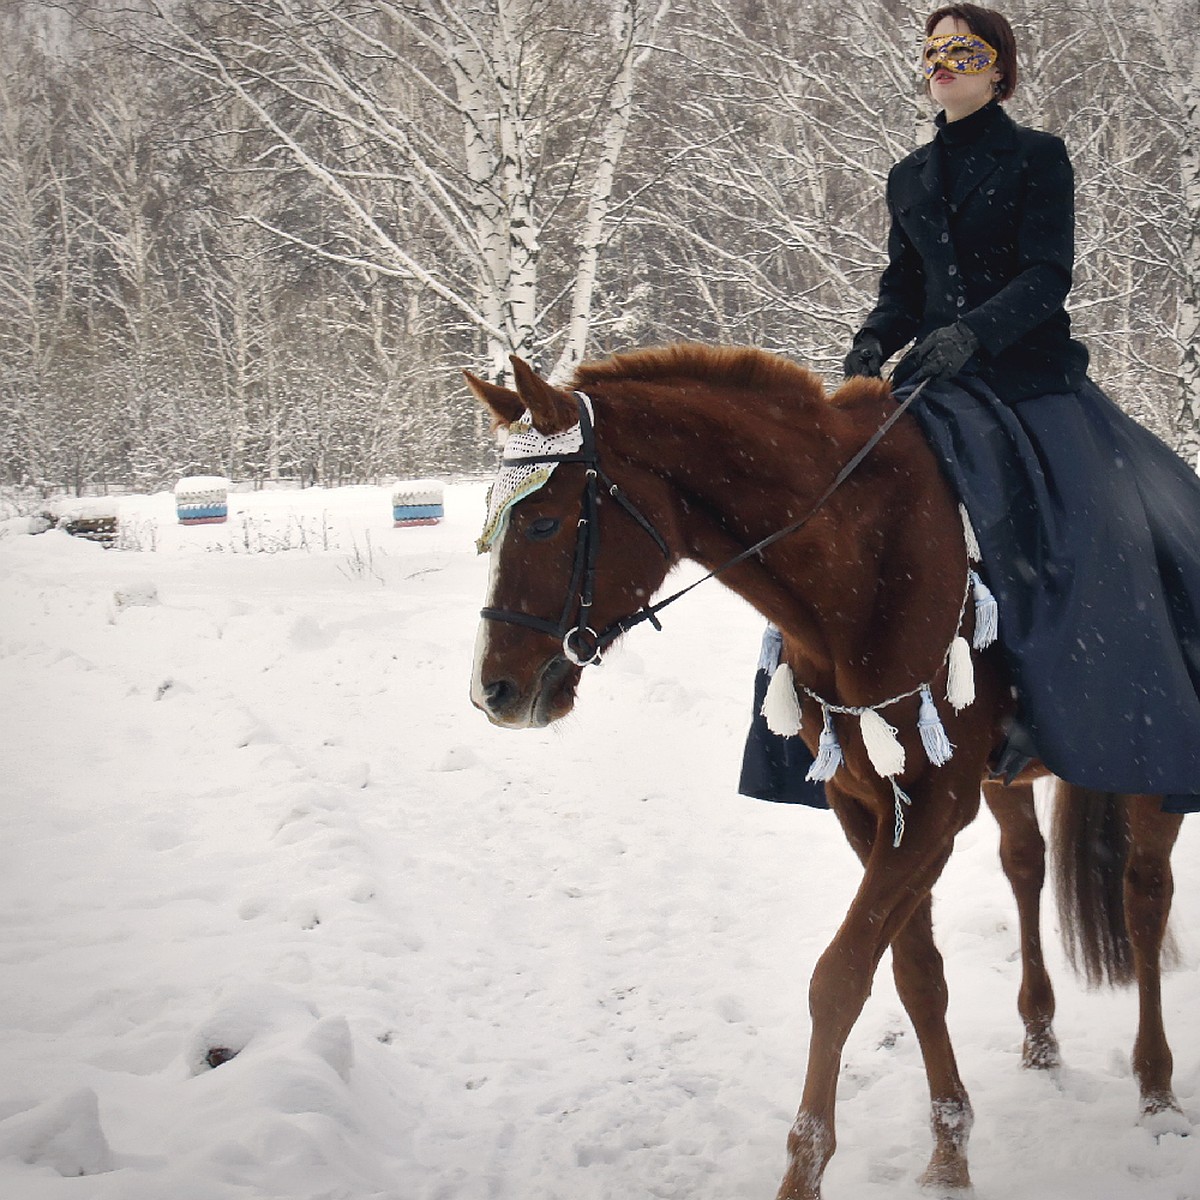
(1087, 521)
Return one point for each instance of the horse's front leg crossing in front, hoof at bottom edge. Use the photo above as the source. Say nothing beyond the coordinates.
(897, 883)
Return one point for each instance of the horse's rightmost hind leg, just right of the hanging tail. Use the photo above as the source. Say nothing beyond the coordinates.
(1149, 887)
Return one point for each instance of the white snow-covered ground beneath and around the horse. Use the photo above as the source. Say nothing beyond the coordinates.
(247, 806)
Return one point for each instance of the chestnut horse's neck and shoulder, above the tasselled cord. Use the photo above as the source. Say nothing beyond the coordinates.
(860, 591)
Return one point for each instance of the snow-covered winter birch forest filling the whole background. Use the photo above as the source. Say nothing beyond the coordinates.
(263, 237)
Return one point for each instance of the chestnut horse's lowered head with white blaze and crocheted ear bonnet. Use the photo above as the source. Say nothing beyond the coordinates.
(568, 561)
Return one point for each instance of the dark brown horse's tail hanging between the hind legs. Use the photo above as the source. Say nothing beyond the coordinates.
(1090, 847)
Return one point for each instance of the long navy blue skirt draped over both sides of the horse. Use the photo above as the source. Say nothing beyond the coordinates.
(1090, 532)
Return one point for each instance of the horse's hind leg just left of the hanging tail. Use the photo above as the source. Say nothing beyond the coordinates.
(1023, 853)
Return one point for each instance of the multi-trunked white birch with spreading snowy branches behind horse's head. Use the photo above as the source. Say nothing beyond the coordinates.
(463, 141)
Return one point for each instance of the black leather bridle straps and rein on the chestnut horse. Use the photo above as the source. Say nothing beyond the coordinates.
(584, 646)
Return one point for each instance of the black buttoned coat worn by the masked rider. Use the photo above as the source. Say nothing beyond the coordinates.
(997, 254)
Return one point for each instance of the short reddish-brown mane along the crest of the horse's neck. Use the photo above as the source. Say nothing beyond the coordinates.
(735, 367)
